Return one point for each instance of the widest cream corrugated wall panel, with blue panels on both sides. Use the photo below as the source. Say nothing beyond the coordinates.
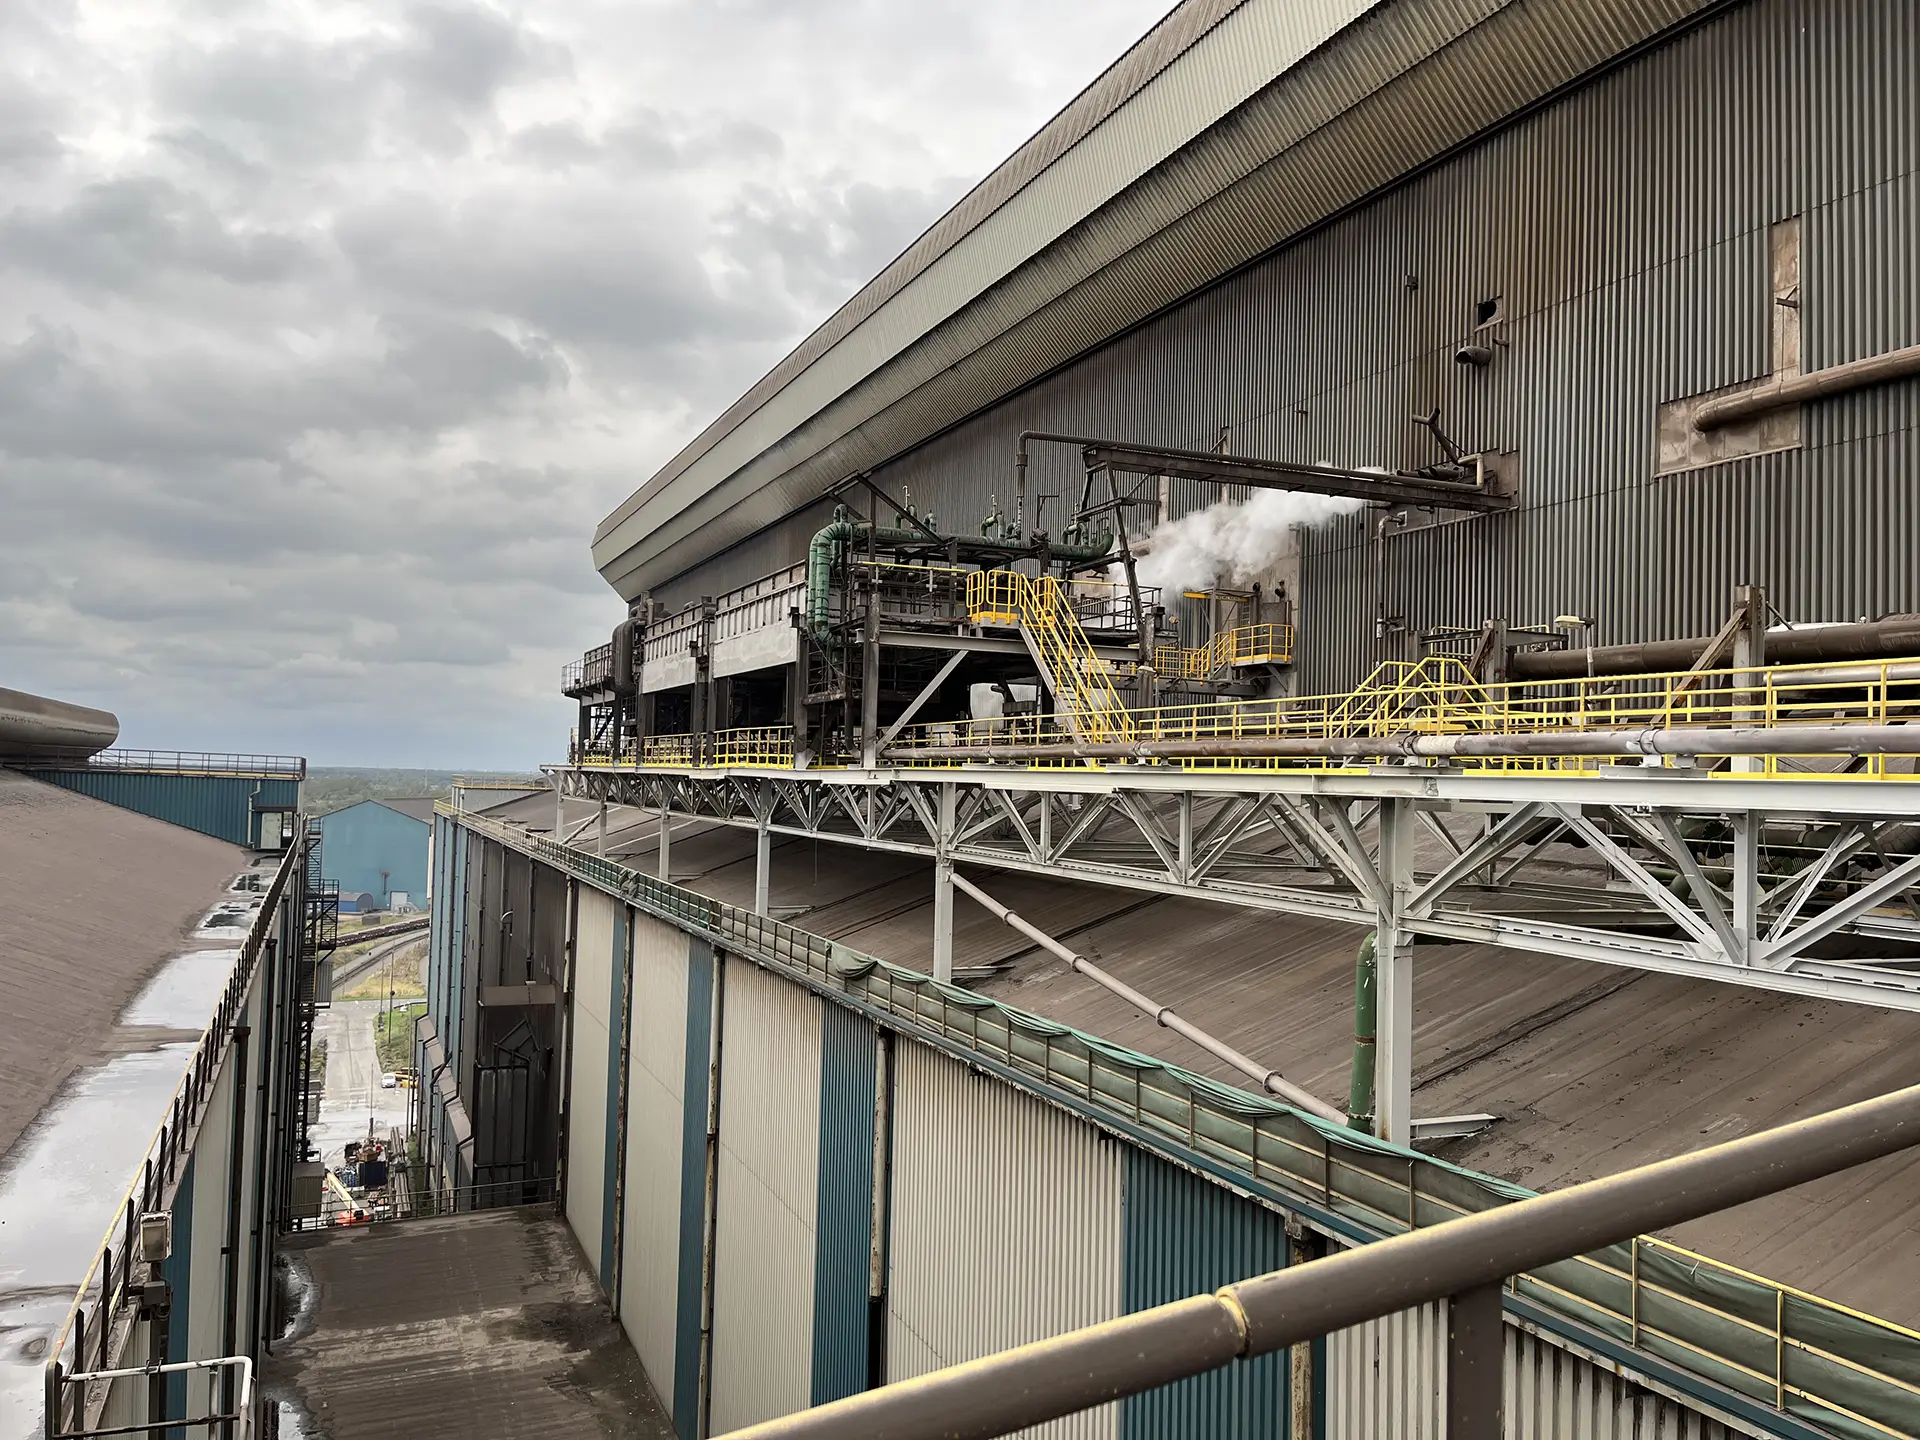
(1005, 1226)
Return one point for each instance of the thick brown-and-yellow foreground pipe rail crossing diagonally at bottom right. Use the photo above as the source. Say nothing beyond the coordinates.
(1042, 1381)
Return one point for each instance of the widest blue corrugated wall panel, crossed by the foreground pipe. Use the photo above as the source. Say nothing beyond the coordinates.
(1180, 1237)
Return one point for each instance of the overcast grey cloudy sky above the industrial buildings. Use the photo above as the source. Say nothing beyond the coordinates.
(329, 331)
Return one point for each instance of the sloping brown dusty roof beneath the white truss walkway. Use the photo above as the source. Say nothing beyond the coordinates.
(1591, 1068)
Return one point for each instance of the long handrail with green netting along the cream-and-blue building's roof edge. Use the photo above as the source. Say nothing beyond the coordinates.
(1764, 1351)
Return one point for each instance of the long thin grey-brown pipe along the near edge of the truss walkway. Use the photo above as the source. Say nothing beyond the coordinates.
(1414, 746)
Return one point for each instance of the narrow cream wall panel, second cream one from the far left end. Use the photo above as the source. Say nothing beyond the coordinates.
(656, 1082)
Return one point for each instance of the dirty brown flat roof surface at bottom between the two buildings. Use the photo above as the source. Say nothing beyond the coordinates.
(481, 1324)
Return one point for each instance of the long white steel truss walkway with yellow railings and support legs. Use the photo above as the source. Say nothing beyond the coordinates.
(1788, 867)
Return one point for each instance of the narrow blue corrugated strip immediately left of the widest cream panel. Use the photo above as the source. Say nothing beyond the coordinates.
(844, 1222)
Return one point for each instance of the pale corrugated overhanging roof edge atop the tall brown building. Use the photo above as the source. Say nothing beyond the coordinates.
(1051, 258)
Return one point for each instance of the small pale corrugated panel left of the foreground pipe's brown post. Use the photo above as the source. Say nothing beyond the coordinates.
(1387, 1380)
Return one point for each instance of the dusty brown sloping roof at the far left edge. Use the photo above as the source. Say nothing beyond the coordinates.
(93, 900)
